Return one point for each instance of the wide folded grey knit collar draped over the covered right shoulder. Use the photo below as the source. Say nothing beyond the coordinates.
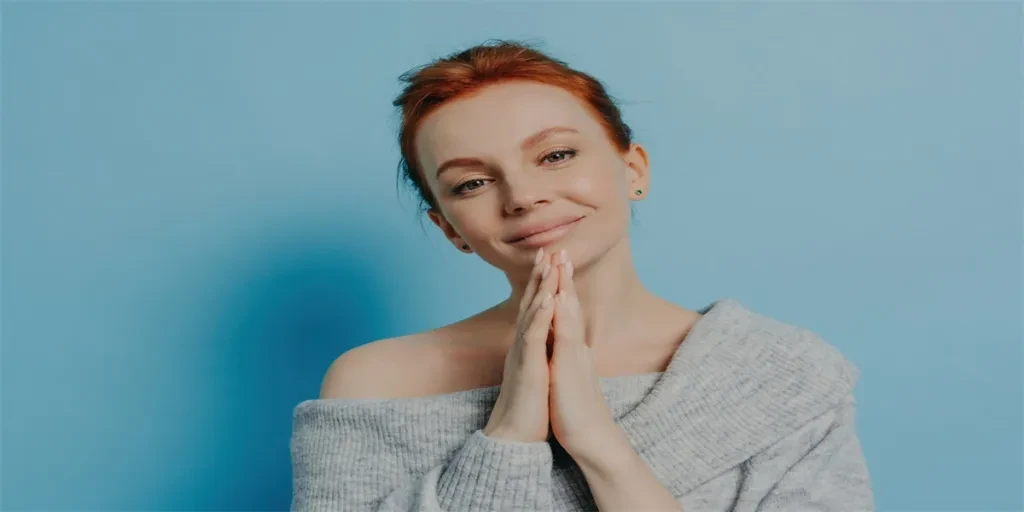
(738, 383)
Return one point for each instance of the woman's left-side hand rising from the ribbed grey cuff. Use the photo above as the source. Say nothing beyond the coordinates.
(521, 414)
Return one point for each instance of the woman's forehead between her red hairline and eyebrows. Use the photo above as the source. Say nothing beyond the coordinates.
(495, 120)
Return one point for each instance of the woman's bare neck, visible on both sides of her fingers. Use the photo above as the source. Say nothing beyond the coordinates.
(612, 297)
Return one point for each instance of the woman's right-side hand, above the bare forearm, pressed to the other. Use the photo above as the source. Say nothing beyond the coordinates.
(581, 419)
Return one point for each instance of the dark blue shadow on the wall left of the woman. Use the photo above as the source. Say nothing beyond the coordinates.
(296, 309)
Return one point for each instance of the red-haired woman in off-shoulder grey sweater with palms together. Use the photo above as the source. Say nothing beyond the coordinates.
(583, 391)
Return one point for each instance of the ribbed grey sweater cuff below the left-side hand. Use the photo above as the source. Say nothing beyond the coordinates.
(490, 475)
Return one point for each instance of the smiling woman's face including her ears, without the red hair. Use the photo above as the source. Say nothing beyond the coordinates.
(522, 157)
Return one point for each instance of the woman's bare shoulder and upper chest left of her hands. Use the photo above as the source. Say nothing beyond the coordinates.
(442, 361)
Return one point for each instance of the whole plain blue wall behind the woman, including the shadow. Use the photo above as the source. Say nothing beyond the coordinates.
(200, 212)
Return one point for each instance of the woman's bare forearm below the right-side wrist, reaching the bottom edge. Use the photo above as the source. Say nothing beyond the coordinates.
(621, 480)
